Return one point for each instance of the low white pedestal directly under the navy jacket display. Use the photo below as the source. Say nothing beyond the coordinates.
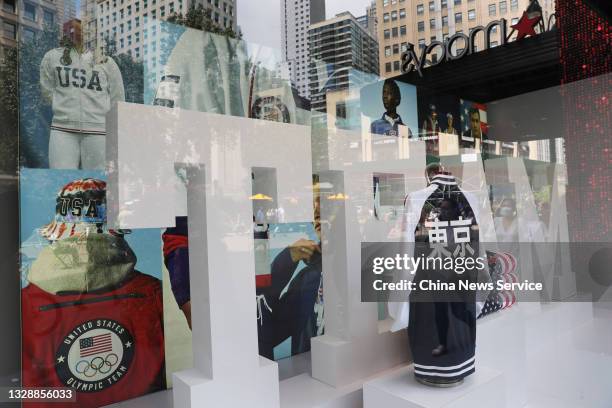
(484, 388)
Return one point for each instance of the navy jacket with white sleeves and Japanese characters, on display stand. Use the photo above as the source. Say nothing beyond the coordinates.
(443, 222)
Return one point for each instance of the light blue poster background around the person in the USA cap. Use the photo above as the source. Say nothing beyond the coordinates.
(38, 193)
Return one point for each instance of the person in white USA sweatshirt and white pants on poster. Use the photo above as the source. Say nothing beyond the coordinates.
(81, 91)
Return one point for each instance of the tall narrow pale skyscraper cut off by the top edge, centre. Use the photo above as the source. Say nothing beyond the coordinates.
(296, 17)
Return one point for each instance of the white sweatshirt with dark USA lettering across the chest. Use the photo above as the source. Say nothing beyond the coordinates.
(81, 91)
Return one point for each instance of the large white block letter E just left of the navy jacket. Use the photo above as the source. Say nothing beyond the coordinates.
(357, 344)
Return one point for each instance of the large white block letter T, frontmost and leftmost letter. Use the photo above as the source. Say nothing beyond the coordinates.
(145, 147)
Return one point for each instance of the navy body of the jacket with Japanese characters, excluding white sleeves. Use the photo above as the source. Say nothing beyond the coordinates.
(443, 318)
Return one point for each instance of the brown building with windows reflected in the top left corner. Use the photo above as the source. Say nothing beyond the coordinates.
(22, 20)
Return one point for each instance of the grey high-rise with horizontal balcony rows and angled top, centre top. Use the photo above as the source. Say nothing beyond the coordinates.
(337, 46)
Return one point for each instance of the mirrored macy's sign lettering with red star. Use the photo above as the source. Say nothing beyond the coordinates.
(449, 49)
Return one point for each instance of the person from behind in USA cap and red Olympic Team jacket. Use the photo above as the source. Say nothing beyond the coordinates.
(101, 318)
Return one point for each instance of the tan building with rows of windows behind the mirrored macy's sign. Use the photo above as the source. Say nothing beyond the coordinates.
(424, 21)
